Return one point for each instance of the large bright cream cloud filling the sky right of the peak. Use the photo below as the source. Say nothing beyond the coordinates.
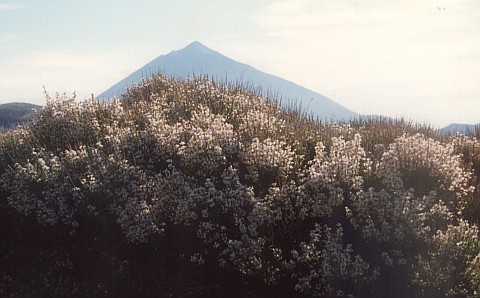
(385, 57)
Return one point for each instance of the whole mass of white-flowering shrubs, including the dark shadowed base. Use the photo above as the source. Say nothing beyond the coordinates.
(197, 189)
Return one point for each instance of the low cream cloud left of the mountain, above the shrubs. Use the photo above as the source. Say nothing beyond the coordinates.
(63, 70)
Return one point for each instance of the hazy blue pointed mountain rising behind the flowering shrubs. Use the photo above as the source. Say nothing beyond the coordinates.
(197, 59)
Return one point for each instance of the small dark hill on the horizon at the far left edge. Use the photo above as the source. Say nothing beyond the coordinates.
(12, 114)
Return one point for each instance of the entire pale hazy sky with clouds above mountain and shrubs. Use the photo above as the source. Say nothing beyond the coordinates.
(410, 58)
